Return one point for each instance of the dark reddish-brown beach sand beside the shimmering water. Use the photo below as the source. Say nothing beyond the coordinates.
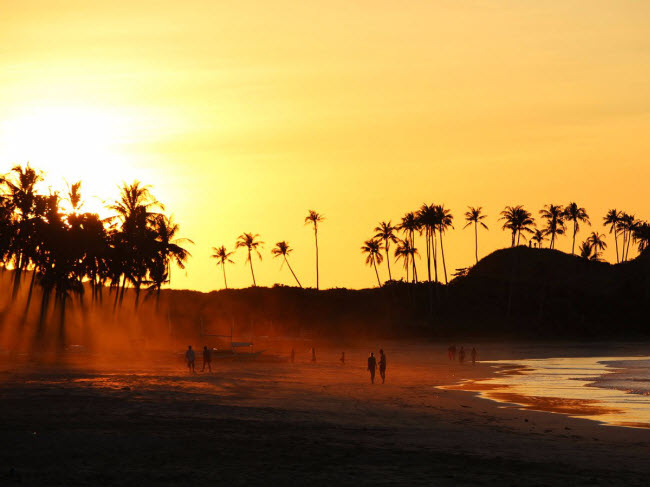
(91, 422)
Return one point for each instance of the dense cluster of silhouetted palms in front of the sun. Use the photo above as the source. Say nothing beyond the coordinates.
(64, 247)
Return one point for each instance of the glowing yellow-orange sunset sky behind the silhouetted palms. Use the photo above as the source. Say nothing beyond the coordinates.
(244, 115)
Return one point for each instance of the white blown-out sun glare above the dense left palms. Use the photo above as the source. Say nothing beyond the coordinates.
(70, 144)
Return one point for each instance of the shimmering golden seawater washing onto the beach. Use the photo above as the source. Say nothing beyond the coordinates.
(611, 390)
